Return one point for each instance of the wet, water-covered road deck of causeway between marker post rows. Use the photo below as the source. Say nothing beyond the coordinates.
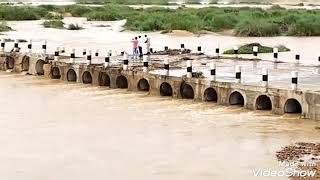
(279, 73)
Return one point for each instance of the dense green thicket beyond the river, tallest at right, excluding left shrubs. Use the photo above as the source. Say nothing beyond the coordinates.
(245, 21)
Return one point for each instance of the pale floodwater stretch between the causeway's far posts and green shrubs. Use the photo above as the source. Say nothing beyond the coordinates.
(111, 38)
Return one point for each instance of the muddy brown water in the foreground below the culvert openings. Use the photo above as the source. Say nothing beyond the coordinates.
(100, 132)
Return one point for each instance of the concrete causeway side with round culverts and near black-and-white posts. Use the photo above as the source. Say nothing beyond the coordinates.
(137, 77)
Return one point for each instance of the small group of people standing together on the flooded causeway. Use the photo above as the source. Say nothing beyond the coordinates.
(139, 43)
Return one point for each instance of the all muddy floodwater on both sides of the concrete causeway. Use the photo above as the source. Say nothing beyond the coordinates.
(55, 130)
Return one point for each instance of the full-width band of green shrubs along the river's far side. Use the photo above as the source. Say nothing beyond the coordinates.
(243, 21)
